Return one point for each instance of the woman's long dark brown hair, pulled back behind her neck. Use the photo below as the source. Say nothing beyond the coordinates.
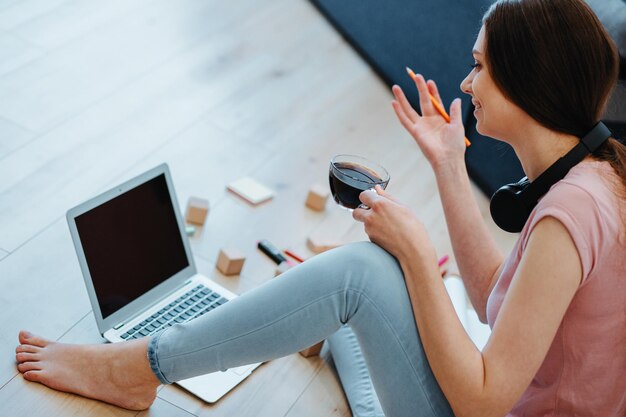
(555, 60)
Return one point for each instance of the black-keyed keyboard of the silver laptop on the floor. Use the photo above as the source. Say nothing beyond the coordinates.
(190, 305)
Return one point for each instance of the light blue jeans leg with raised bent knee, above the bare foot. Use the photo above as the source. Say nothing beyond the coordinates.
(359, 285)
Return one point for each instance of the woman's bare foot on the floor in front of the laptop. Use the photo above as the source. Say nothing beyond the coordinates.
(117, 373)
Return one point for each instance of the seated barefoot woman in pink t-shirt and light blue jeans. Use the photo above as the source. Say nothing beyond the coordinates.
(543, 71)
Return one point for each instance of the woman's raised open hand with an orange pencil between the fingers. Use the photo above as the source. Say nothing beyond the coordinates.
(439, 141)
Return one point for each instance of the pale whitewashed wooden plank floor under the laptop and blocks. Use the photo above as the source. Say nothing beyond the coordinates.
(93, 93)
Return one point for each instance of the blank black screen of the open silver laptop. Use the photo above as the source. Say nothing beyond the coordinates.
(132, 243)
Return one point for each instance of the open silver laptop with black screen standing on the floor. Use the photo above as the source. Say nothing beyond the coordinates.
(139, 270)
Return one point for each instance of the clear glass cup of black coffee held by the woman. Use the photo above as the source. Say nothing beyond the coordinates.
(350, 175)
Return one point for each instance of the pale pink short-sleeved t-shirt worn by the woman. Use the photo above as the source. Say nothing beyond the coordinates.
(584, 372)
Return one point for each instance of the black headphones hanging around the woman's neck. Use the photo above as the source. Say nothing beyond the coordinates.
(512, 204)
